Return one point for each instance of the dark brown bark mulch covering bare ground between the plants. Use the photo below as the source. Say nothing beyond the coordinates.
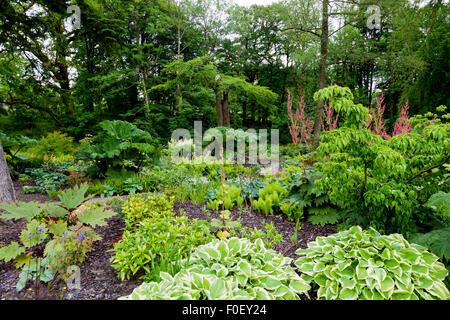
(99, 280)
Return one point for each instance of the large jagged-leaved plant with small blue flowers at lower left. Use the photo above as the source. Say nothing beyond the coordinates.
(59, 234)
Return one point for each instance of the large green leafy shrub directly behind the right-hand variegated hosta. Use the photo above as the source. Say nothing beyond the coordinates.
(383, 181)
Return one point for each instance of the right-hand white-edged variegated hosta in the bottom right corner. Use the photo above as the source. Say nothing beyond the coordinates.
(356, 264)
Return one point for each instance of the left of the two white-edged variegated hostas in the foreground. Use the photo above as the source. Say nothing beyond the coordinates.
(226, 270)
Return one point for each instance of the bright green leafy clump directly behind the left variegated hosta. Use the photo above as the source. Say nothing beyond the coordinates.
(157, 245)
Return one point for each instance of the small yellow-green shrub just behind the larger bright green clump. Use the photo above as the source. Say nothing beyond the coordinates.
(141, 207)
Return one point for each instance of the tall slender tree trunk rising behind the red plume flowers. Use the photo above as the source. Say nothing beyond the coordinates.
(322, 71)
